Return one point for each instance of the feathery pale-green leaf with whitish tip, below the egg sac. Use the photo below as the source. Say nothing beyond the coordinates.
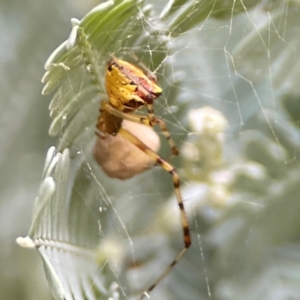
(64, 230)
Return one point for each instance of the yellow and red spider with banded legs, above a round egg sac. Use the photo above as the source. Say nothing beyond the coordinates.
(128, 89)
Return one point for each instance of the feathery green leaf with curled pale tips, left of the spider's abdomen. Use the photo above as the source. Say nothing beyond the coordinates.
(73, 68)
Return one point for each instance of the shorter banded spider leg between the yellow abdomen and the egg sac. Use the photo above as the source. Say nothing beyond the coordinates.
(145, 120)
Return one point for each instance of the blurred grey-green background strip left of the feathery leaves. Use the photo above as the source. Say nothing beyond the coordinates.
(30, 31)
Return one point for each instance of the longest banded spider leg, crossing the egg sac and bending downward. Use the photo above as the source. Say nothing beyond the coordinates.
(176, 182)
